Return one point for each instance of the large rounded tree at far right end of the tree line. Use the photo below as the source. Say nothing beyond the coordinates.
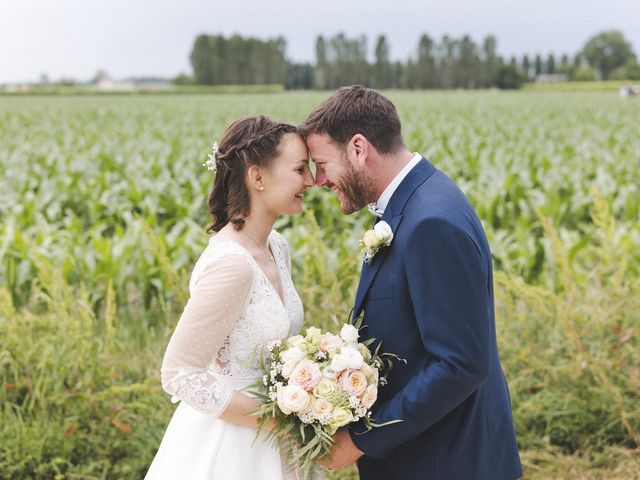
(607, 51)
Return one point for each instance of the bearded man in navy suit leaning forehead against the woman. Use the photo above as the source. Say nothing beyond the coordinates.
(428, 297)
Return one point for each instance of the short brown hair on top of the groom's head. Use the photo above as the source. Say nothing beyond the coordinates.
(356, 109)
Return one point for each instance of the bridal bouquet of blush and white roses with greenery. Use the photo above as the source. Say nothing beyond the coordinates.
(315, 384)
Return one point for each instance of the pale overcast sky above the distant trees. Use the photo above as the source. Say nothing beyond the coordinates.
(75, 38)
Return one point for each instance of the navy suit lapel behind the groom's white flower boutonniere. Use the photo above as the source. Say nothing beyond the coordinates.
(393, 216)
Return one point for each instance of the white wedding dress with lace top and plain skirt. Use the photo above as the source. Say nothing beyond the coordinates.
(233, 310)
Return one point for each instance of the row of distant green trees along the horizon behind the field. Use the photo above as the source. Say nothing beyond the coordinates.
(448, 63)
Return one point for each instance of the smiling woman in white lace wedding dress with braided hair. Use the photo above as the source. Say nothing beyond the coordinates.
(241, 297)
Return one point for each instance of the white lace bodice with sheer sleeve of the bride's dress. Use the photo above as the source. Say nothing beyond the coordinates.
(232, 312)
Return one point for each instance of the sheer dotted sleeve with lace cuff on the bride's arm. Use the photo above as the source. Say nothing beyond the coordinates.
(218, 296)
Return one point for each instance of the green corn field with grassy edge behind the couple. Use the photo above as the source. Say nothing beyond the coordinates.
(102, 216)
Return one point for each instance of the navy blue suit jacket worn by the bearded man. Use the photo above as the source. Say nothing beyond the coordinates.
(428, 298)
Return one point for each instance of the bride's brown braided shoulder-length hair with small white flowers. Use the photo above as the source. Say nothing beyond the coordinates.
(247, 141)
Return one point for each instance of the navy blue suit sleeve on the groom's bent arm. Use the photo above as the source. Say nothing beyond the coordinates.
(448, 288)
